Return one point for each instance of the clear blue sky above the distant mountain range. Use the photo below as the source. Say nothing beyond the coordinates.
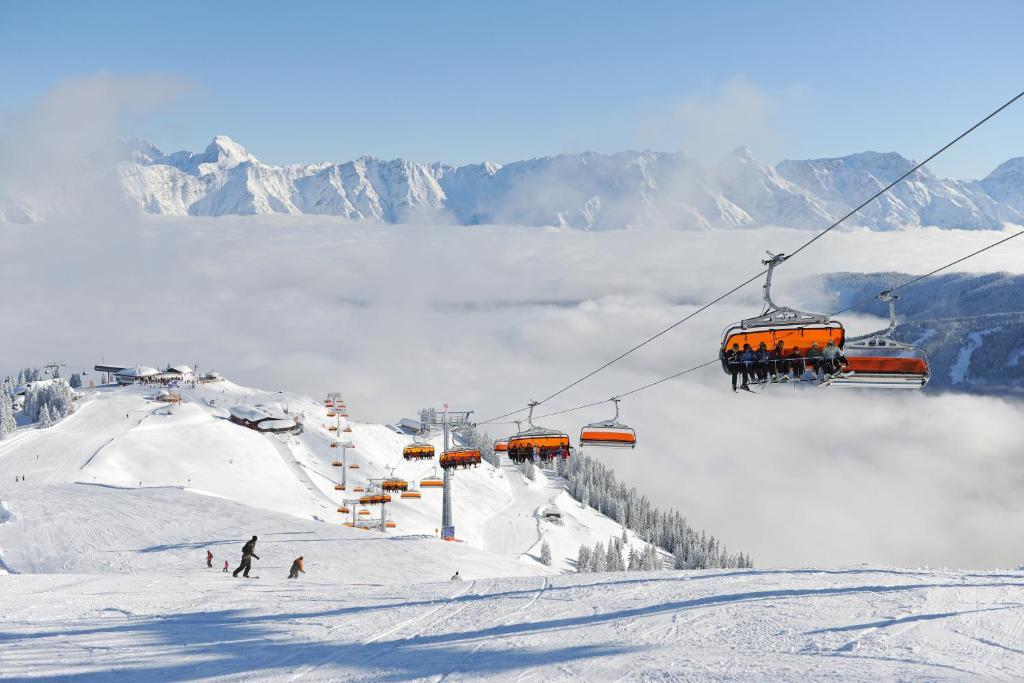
(468, 81)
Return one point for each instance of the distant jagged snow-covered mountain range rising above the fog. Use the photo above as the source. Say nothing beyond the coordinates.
(586, 191)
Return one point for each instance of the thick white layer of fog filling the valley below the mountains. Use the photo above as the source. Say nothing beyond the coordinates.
(487, 319)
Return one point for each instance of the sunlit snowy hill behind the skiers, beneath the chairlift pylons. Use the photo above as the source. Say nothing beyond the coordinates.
(129, 484)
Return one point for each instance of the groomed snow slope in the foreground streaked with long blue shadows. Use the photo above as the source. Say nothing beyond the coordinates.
(857, 624)
